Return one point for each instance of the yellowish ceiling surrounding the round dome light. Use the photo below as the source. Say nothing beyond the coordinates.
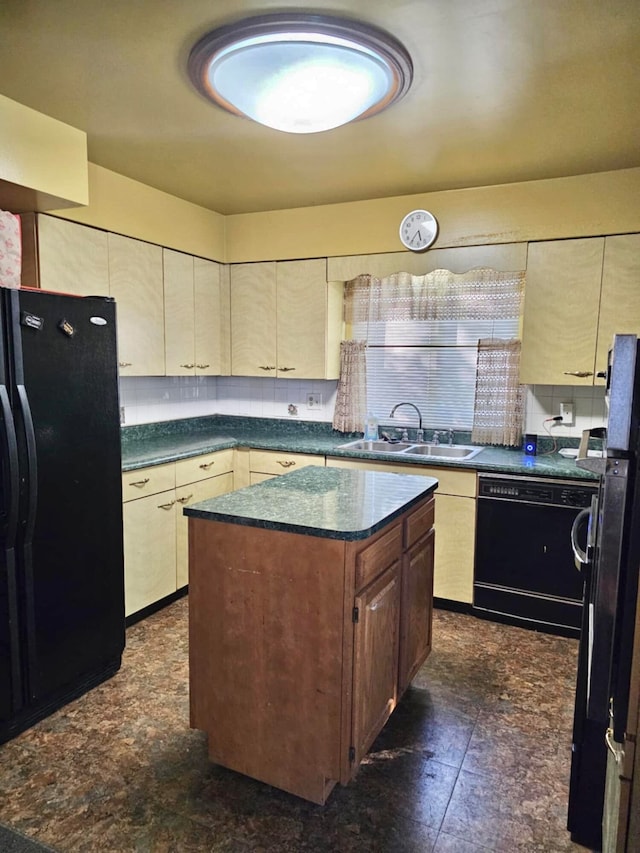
(503, 90)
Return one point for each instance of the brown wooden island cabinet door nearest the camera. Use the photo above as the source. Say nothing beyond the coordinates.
(375, 664)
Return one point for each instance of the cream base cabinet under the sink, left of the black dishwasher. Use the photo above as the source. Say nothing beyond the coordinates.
(455, 524)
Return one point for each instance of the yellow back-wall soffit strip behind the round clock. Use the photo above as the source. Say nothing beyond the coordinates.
(603, 203)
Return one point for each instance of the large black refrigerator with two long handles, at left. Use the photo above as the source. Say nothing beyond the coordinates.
(62, 624)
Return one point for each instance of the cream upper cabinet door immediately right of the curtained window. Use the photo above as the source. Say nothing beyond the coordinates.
(560, 326)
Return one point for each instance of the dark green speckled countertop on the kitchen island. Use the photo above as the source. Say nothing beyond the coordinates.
(333, 503)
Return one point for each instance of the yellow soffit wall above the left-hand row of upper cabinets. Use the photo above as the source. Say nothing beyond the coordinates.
(119, 204)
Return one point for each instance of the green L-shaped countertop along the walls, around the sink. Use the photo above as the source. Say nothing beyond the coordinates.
(153, 444)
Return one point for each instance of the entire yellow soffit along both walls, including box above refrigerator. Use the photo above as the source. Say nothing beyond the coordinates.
(43, 165)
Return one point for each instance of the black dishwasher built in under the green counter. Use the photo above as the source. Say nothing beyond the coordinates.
(525, 572)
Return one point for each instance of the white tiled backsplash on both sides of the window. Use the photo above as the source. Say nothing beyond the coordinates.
(157, 398)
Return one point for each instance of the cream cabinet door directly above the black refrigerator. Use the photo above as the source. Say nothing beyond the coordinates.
(72, 258)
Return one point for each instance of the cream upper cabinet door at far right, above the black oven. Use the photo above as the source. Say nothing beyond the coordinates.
(620, 300)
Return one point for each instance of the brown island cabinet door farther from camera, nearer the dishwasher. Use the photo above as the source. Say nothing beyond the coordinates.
(416, 610)
